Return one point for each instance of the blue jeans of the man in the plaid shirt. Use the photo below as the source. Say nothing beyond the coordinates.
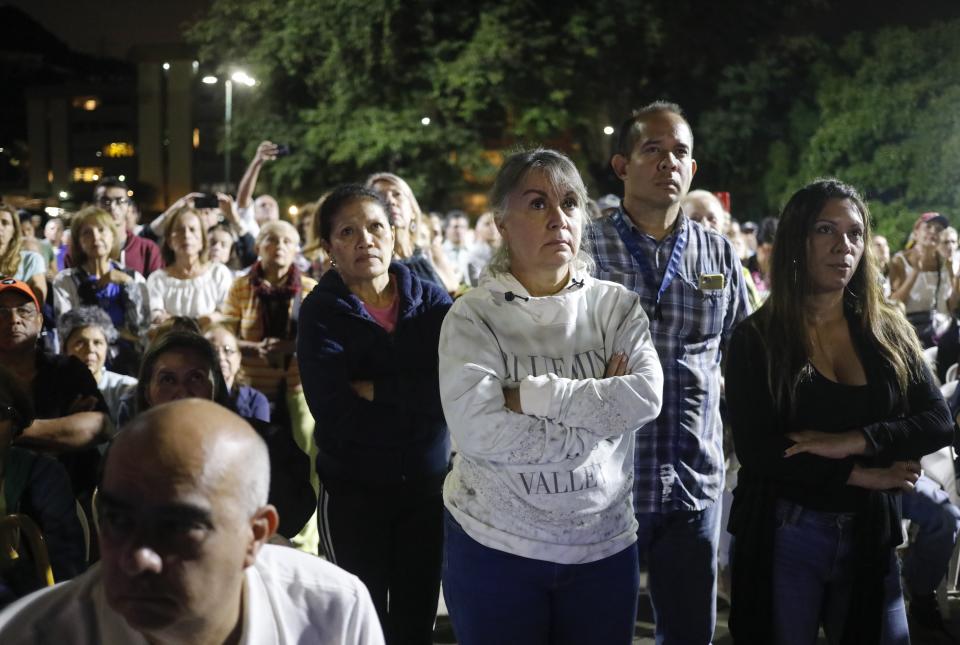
(680, 551)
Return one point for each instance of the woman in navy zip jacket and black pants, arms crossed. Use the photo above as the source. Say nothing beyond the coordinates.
(368, 360)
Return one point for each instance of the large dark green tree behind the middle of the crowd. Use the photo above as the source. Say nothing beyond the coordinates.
(349, 84)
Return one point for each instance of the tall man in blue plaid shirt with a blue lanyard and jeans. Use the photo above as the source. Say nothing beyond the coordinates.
(692, 288)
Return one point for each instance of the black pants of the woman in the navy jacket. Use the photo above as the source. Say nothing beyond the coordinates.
(392, 539)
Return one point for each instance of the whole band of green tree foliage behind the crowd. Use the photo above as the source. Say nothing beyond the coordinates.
(772, 105)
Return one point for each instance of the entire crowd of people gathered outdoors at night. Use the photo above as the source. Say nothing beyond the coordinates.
(530, 411)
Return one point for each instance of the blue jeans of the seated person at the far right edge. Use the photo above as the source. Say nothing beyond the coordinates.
(938, 523)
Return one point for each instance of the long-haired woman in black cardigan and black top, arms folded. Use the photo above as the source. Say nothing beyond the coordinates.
(831, 406)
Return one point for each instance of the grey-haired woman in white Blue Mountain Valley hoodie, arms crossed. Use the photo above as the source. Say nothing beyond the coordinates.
(545, 375)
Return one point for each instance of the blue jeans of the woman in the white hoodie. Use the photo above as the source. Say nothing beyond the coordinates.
(498, 597)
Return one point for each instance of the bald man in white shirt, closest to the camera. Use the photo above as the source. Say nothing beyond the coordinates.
(184, 522)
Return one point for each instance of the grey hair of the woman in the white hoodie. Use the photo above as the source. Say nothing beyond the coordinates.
(562, 174)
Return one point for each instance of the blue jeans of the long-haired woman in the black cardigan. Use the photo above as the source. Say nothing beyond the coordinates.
(813, 563)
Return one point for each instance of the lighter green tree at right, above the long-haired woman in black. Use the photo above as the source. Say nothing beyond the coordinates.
(889, 123)
